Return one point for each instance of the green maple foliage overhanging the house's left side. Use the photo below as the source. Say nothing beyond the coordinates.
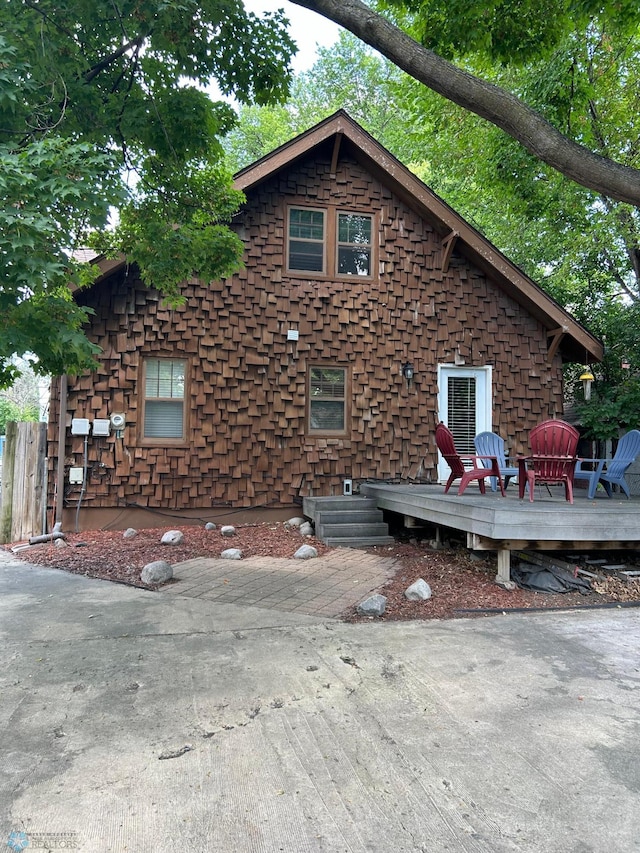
(104, 106)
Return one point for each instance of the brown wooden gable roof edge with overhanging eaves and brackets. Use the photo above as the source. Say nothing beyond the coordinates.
(340, 131)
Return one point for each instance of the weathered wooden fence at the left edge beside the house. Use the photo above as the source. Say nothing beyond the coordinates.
(23, 497)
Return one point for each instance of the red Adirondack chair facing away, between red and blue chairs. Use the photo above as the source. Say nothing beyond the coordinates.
(553, 459)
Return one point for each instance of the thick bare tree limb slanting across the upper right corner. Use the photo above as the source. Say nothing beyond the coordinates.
(486, 100)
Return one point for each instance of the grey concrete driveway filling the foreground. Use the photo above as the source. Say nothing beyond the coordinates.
(135, 721)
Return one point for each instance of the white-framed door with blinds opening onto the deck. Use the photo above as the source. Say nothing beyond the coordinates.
(464, 404)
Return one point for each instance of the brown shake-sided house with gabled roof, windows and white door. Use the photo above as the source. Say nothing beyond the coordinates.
(366, 311)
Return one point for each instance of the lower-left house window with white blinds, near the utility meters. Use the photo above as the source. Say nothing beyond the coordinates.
(164, 382)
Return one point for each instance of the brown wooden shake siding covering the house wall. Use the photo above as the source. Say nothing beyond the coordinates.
(246, 406)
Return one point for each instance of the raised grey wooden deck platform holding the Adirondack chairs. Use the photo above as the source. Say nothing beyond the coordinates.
(494, 523)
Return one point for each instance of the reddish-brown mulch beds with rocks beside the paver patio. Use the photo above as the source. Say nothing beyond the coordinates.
(462, 584)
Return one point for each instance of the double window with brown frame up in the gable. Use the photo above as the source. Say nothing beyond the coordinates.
(329, 242)
